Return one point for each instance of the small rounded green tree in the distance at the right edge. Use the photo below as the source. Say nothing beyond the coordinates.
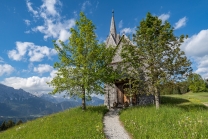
(196, 83)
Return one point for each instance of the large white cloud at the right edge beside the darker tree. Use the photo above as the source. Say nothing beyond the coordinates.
(196, 47)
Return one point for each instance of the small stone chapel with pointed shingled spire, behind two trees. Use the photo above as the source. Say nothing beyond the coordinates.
(116, 93)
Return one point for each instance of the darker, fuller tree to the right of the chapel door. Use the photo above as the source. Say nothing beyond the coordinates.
(157, 54)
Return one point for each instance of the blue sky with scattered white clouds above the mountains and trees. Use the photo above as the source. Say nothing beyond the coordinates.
(27, 28)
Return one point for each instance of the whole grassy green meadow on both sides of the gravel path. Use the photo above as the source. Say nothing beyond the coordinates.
(179, 117)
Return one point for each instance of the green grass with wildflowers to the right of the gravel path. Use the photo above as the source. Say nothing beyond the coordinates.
(179, 117)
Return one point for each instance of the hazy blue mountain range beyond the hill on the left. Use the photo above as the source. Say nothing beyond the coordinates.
(15, 103)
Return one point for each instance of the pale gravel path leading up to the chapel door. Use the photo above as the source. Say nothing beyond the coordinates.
(112, 126)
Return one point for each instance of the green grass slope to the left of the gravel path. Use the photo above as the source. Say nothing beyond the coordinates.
(70, 124)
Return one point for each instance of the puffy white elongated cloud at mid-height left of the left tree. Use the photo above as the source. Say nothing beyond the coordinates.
(34, 52)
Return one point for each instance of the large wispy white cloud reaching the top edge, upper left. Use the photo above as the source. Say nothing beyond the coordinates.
(54, 25)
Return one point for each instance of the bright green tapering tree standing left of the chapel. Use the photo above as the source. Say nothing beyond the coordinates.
(84, 63)
